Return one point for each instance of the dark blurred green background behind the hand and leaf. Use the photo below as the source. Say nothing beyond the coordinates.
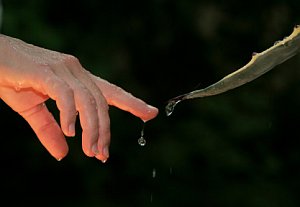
(241, 148)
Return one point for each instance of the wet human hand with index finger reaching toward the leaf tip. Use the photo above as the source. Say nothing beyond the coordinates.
(30, 75)
